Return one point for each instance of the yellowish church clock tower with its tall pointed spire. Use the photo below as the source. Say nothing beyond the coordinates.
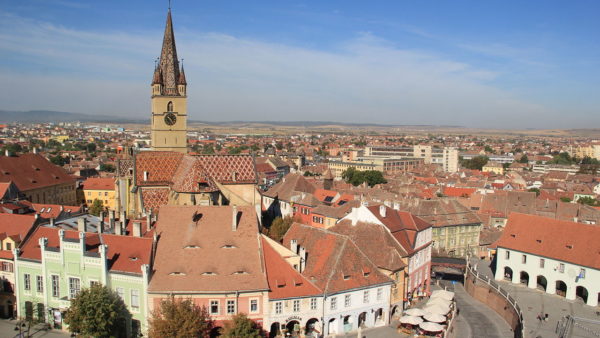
(169, 98)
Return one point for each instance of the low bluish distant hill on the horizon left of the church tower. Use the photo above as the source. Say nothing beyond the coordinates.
(7, 116)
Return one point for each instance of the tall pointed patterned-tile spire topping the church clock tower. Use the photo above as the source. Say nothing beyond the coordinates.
(169, 66)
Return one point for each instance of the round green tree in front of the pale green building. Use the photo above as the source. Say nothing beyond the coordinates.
(97, 312)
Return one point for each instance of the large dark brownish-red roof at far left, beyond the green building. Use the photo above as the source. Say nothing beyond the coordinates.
(32, 171)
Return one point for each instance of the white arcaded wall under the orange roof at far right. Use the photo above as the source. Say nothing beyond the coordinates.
(551, 271)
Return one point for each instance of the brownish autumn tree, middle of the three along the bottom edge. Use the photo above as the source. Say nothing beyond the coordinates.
(178, 317)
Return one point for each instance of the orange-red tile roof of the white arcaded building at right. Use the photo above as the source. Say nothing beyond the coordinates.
(561, 240)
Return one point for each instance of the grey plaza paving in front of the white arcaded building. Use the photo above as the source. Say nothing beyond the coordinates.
(534, 302)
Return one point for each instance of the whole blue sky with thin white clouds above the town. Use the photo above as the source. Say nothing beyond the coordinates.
(487, 64)
